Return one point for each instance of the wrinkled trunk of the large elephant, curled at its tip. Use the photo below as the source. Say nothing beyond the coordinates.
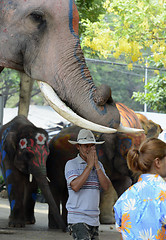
(83, 97)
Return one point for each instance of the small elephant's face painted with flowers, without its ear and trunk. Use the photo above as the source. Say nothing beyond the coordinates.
(32, 151)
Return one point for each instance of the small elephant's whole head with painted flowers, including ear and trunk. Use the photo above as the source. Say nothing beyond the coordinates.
(27, 146)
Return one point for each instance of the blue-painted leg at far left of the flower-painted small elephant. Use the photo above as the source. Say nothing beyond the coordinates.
(15, 183)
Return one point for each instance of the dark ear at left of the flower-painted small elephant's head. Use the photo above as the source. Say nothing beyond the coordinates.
(10, 145)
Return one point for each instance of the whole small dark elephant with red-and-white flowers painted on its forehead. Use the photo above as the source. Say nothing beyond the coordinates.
(23, 154)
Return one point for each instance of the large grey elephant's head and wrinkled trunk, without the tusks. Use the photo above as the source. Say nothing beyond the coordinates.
(40, 37)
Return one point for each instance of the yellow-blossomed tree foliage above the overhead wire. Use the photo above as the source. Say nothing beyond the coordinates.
(129, 28)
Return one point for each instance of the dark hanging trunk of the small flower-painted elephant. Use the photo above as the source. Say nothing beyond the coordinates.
(44, 187)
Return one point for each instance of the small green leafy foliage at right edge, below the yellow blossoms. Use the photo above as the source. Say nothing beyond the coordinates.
(156, 94)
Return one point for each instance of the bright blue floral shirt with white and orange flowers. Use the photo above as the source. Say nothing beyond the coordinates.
(140, 212)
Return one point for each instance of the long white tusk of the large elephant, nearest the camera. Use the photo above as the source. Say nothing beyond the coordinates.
(67, 113)
